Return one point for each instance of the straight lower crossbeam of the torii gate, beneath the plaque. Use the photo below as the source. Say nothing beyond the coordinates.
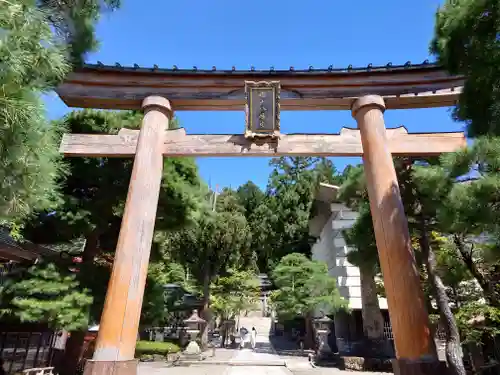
(178, 143)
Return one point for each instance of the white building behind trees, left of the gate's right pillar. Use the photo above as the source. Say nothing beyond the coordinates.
(328, 219)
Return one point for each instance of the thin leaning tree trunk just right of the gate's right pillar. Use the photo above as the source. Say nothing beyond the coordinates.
(453, 346)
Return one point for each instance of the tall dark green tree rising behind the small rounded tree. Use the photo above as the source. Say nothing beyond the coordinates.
(280, 223)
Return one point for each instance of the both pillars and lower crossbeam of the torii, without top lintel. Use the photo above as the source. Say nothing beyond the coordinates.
(116, 341)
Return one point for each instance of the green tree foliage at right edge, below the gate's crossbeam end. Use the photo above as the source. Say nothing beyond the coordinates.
(469, 209)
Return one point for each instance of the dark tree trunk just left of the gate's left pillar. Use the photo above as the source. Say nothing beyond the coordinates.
(76, 341)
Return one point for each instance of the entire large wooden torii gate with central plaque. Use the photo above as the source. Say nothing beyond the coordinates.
(367, 92)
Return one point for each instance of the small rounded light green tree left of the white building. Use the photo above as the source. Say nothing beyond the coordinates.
(304, 287)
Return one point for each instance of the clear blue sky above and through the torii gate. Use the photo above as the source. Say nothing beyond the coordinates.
(270, 33)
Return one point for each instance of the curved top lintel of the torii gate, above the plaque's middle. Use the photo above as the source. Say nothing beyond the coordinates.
(108, 87)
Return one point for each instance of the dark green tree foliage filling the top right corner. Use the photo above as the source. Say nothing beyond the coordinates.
(466, 43)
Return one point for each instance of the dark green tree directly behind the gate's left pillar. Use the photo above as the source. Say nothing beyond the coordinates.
(93, 194)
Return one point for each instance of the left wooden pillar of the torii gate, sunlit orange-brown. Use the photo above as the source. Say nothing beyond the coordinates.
(115, 348)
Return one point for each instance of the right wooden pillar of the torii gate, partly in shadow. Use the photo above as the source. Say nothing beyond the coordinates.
(410, 322)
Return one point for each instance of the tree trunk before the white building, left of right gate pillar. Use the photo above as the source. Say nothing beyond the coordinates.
(373, 321)
